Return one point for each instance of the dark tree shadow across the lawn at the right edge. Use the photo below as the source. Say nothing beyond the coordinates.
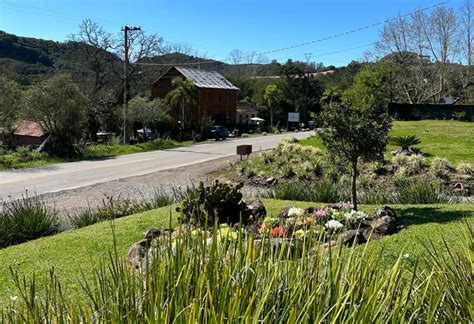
(424, 215)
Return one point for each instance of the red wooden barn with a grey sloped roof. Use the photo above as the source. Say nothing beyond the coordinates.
(217, 97)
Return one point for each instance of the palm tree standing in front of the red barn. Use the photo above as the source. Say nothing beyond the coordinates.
(184, 94)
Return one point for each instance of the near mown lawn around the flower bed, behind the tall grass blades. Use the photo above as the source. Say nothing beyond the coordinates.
(75, 252)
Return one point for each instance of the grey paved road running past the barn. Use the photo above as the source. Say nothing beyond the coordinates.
(64, 176)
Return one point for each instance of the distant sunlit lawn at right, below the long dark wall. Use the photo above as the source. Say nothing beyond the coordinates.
(453, 140)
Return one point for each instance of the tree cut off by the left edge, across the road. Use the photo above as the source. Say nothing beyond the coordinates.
(10, 108)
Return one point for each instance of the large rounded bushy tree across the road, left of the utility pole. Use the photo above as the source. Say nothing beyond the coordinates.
(58, 105)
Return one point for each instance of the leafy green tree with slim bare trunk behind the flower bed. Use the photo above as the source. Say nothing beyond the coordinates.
(357, 129)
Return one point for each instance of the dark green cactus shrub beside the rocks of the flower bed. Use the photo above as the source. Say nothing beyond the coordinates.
(204, 204)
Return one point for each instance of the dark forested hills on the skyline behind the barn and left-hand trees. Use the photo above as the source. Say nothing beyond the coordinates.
(25, 59)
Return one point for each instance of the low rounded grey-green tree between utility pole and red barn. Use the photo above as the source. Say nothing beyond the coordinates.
(153, 114)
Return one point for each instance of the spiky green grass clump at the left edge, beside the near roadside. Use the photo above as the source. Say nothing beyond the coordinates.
(25, 220)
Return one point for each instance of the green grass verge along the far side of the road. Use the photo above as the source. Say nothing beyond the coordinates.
(100, 151)
